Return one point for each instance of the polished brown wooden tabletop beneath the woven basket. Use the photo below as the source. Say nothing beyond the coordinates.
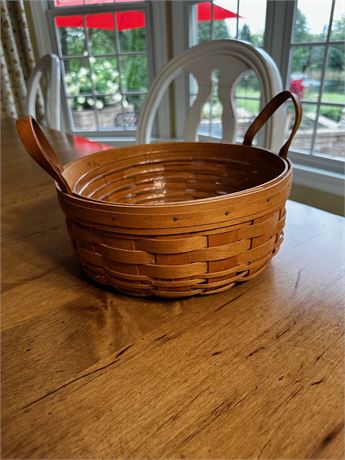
(255, 372)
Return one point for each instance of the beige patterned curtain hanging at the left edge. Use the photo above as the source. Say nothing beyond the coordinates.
(17, 59)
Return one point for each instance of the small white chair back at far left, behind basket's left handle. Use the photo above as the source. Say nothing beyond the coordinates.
(49, 66)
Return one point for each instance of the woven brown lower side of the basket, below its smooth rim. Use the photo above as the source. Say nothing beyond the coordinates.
(180, 265)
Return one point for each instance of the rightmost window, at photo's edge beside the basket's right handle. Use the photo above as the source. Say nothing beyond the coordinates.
(317, 75)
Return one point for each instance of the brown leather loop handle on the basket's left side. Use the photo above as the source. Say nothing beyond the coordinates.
(38, 147)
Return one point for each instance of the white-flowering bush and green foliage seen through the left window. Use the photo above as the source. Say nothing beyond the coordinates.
(105, 77)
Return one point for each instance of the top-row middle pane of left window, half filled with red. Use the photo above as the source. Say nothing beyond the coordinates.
(102, 39)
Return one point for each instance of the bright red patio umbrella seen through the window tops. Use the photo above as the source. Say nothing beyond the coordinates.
(131, 19)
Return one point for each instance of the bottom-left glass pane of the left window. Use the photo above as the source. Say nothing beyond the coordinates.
(83, 114)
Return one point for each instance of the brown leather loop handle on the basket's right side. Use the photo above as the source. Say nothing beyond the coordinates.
(267, 112)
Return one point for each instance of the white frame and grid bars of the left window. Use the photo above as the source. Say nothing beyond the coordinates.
(86, 9)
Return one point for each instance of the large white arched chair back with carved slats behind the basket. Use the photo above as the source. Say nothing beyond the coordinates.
(231, 58)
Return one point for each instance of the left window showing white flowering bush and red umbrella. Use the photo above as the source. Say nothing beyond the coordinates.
(103, 46)
